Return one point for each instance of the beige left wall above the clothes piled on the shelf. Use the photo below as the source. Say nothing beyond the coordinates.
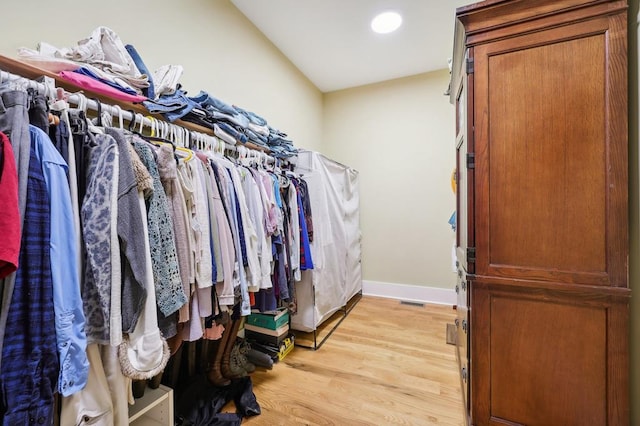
(221, 51)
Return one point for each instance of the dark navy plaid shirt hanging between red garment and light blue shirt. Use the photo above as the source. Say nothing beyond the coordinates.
(29, 373)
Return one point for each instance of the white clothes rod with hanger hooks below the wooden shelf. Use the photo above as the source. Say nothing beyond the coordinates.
(161, 127)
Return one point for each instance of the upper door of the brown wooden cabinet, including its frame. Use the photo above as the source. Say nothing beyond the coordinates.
(551, 154)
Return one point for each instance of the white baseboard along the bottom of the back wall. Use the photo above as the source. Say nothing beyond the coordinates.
(409, 293)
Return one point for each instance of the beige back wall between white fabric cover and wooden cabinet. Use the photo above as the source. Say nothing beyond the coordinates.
(400, 136)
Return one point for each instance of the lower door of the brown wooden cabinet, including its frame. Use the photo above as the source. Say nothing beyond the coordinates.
(547, 357)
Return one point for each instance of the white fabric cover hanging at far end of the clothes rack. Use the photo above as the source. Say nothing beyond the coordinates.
(336, 277)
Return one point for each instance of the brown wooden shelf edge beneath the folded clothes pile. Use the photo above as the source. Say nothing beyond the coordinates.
(29, 71)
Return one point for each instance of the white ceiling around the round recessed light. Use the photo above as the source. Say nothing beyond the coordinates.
(330, 41)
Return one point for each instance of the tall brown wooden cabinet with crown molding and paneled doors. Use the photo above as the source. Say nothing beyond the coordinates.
(540, 89)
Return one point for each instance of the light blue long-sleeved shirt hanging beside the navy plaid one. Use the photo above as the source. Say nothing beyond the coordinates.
(67, 301)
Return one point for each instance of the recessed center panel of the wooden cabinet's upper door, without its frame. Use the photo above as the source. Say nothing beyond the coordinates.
(547, 166)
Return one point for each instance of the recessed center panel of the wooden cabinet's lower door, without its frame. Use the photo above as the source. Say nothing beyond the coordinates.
(529, 337)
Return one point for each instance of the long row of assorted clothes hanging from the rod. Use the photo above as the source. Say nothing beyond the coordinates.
(134, 242)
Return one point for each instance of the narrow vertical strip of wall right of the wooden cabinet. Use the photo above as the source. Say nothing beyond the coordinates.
(634, 211)
